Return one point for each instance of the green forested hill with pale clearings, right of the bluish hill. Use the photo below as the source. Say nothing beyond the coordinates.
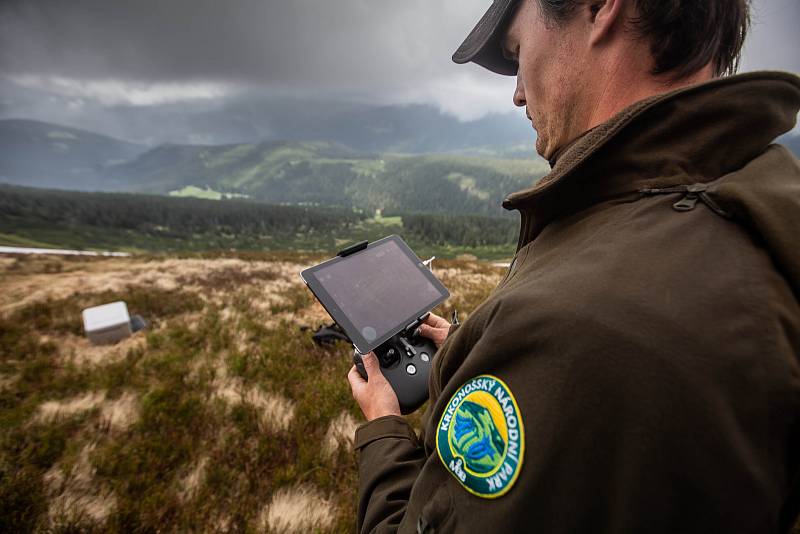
(329, 174)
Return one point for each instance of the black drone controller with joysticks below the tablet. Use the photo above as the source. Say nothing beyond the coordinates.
(405, 361)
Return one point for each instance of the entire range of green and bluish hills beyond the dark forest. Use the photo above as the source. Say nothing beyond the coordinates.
(473, 179)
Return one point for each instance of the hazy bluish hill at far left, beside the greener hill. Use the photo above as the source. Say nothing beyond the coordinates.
(48, 155)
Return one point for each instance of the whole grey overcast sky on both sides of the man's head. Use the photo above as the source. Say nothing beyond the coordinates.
(101, 53)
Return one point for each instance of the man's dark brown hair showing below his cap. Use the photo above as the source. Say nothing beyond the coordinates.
(684, 35)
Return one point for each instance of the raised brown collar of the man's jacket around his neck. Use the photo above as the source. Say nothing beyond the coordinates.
(690, 135)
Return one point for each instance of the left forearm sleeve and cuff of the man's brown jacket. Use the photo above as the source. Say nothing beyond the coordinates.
(390, 459)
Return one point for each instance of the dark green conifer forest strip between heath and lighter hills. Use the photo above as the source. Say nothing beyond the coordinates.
(136, 223)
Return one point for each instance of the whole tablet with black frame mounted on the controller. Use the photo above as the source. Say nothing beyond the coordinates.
(376, 292)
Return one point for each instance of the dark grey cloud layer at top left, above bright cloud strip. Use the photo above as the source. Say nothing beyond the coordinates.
(307, 42)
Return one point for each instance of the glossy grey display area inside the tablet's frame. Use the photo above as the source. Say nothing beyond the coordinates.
(378, 288)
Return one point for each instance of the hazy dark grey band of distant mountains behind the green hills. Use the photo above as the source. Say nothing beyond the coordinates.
(262, 116)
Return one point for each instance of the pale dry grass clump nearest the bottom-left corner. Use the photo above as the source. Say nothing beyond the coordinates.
(76, 496)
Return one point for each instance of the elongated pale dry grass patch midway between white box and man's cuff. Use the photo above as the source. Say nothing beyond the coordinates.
(275, 411)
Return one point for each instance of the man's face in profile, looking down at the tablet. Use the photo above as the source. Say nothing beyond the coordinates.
(549, 80)
